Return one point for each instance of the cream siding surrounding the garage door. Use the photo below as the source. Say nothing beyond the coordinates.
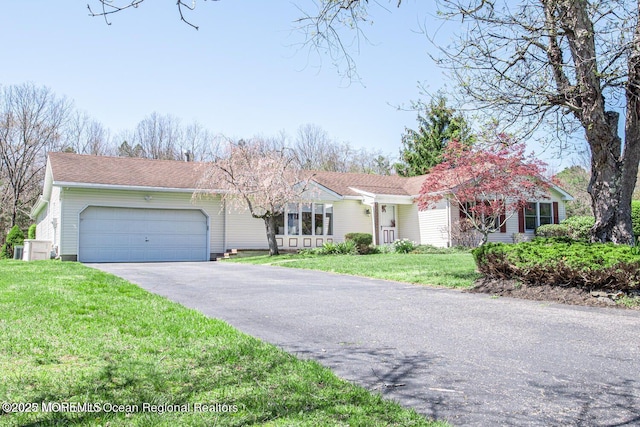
(76, 199)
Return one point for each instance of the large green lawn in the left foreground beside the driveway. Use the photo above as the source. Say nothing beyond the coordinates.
(69, 333)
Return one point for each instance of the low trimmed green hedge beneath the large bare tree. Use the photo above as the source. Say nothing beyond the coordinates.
(562, 262)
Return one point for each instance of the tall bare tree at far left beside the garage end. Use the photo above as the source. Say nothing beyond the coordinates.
(32, 120)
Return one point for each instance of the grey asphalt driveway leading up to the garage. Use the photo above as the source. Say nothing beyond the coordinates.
(470, 359)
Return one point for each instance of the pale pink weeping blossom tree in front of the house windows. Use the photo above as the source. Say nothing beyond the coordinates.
(258, 177)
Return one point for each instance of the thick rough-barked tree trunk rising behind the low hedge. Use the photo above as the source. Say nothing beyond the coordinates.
(613, 170)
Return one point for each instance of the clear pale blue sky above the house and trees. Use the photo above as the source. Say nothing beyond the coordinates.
(244, 73)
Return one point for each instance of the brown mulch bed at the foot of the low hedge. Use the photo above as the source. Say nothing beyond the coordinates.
(560, 294)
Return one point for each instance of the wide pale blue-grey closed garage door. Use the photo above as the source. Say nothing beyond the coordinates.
(142, 235)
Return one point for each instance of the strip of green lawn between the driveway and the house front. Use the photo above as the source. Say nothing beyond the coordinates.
(452, 270)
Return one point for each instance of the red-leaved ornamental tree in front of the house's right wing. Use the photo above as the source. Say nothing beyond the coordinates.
(489, 185)
